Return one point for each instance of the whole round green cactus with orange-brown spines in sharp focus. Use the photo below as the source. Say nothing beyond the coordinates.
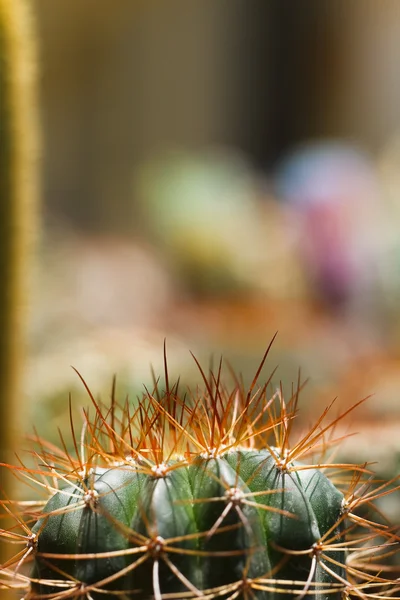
(201, 496)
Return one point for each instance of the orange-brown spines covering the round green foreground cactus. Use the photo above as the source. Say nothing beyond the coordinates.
(165, 431)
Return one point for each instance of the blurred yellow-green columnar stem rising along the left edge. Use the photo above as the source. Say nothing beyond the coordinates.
(19, 189)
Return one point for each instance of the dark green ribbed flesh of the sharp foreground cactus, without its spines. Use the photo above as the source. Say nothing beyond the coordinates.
(210, 520)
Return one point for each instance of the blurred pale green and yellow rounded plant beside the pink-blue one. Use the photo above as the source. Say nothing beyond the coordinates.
(201, 210)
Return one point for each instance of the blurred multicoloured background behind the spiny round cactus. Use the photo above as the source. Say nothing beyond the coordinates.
(211, 173)
